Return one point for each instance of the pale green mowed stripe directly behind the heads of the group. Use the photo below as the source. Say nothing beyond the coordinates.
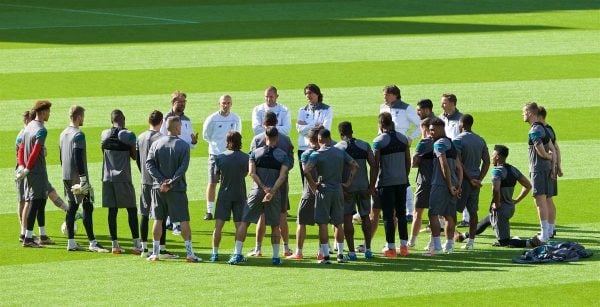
(475, 98)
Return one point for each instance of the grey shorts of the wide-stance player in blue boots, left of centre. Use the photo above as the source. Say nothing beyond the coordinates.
(255, 207)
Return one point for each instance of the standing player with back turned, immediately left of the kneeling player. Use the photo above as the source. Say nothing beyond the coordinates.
(475, 158)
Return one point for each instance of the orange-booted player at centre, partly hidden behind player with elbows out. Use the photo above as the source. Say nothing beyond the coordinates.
(306, 207)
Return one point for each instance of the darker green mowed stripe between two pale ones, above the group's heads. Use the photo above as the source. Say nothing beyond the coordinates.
(245, 78)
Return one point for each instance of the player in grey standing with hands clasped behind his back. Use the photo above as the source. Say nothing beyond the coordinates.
(167, 162)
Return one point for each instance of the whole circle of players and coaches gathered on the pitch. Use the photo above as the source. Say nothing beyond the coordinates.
(340, 179)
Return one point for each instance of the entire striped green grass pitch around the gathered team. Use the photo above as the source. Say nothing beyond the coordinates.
(494, 55)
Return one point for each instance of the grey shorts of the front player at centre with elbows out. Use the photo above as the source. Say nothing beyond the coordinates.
(329, 207)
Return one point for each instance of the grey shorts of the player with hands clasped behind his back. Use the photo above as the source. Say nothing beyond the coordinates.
(173, 204)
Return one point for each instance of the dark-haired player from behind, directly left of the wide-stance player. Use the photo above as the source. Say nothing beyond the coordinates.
(232, 168)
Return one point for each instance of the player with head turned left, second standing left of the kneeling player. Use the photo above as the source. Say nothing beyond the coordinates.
(445, 188)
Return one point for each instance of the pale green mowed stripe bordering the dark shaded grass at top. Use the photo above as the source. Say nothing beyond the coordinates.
(295, 51)
